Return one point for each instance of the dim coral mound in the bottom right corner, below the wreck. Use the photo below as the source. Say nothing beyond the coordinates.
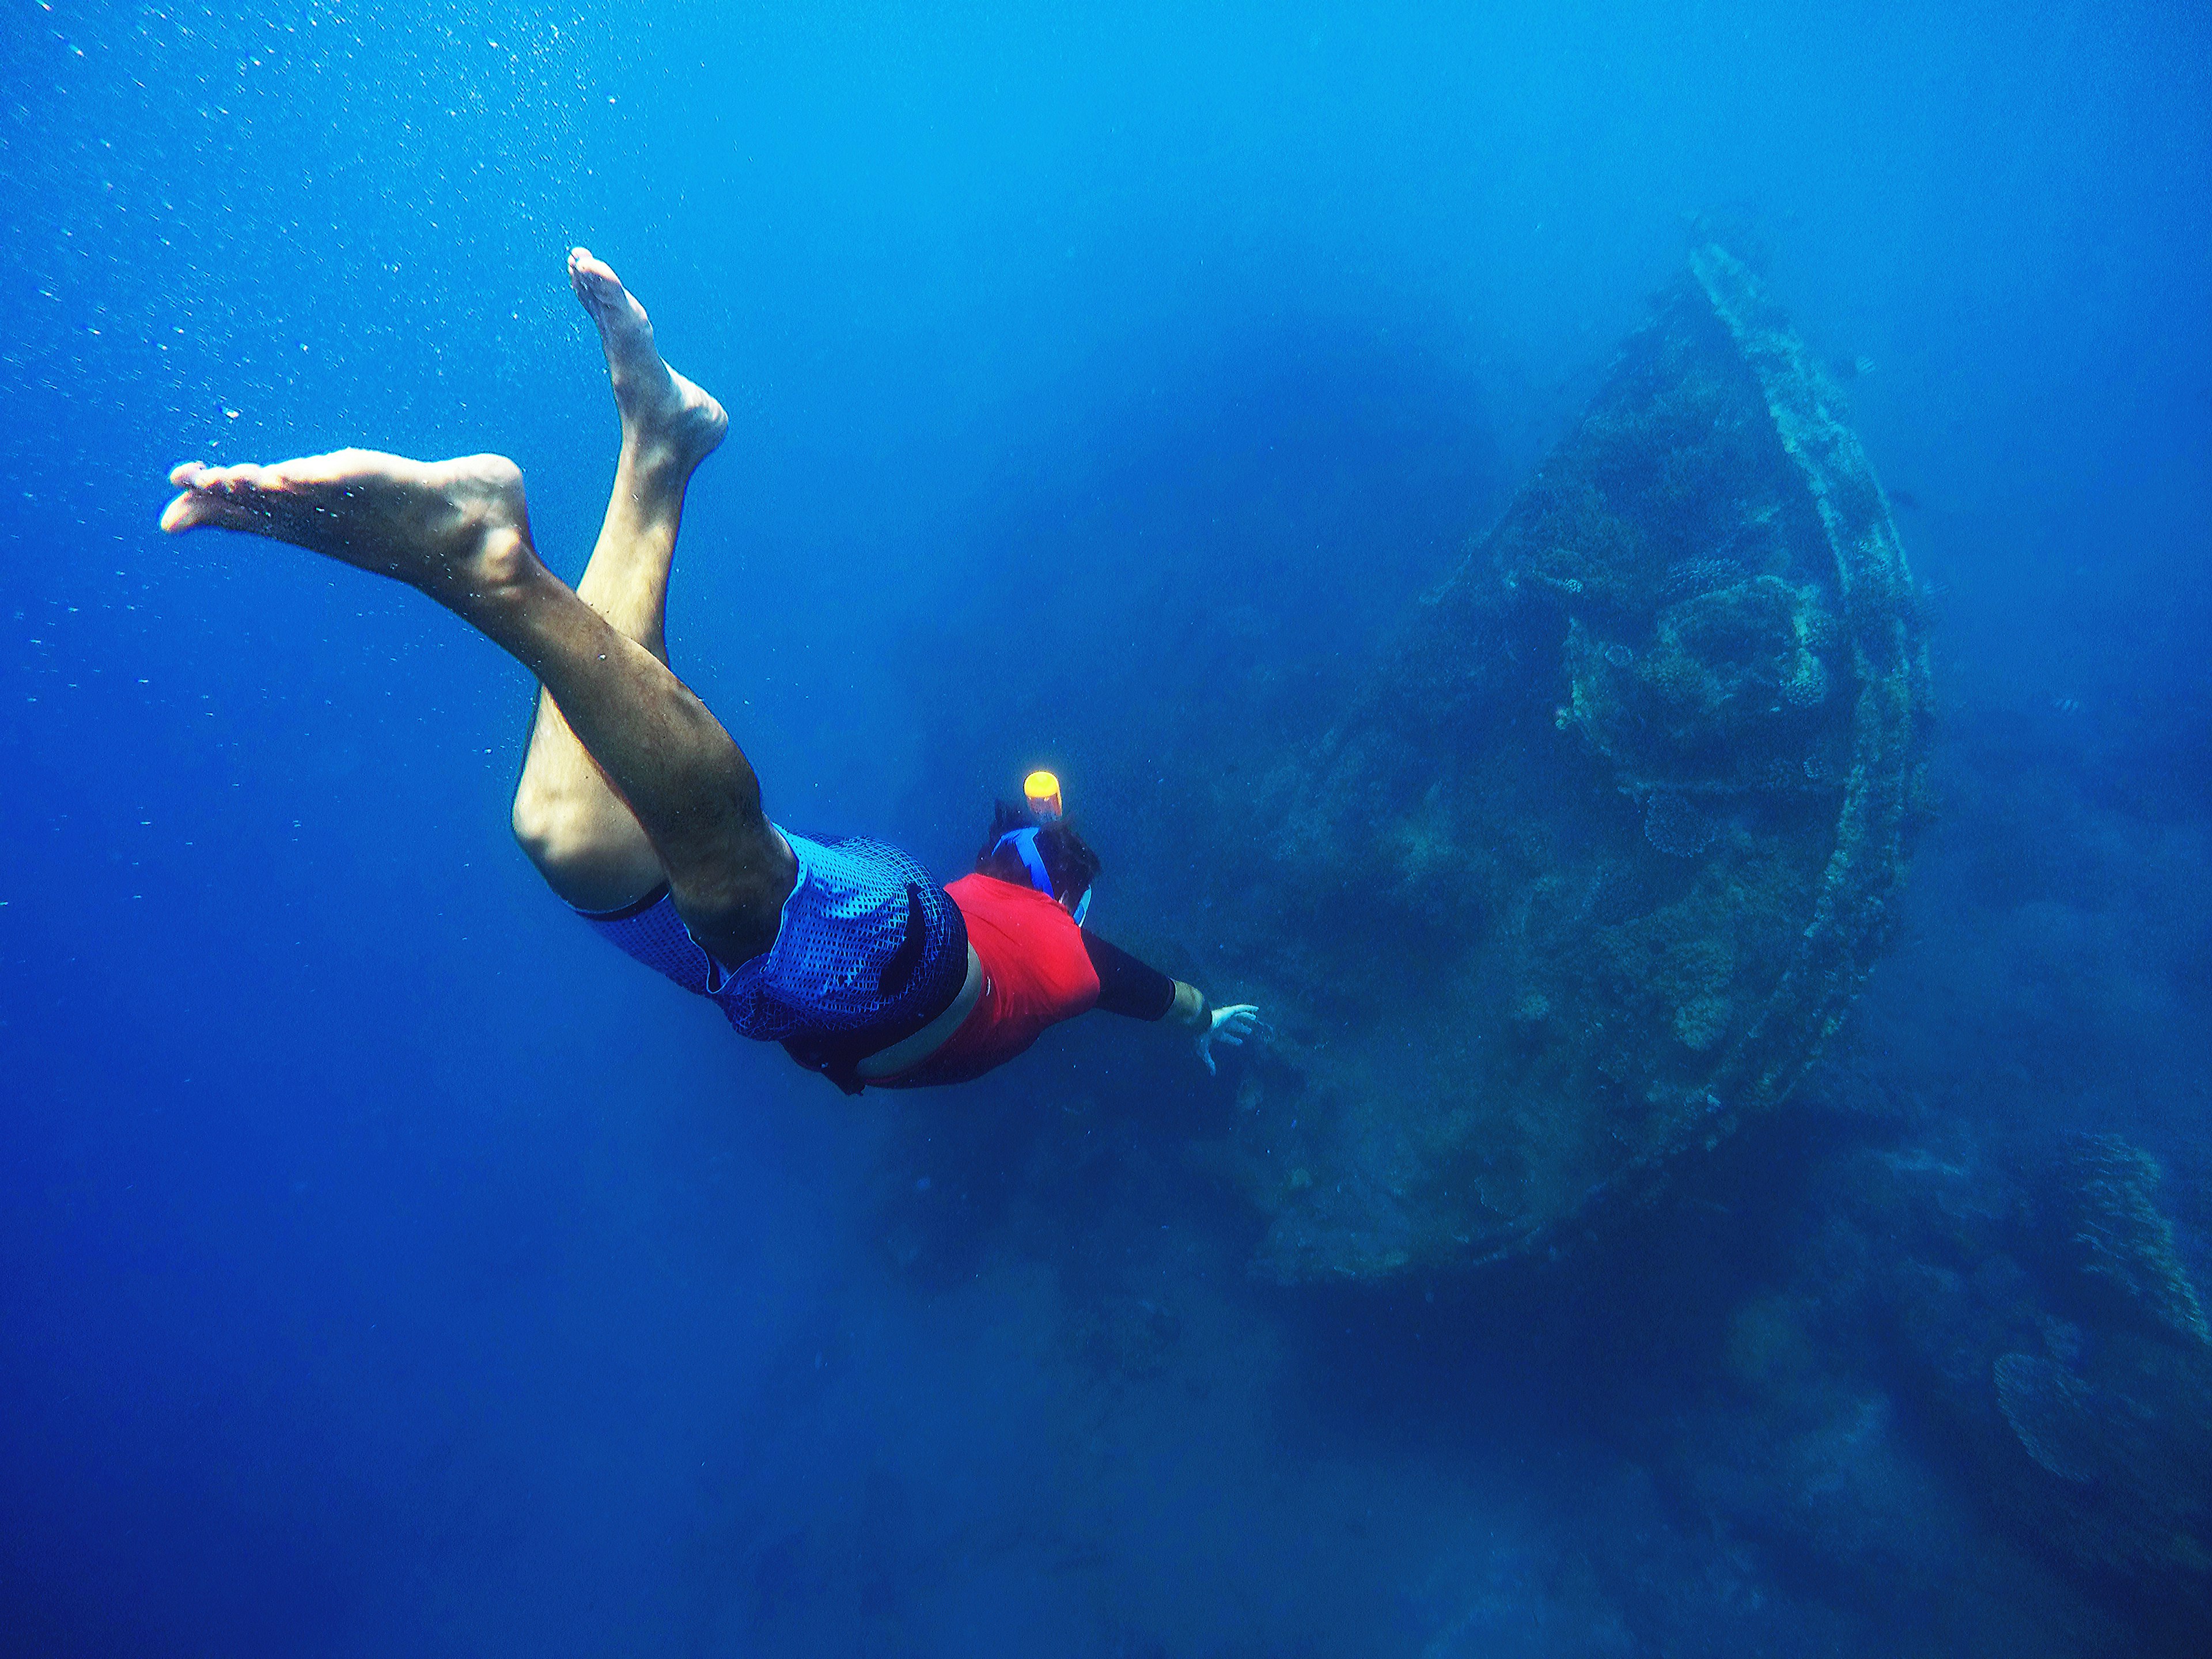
(2089, 1417)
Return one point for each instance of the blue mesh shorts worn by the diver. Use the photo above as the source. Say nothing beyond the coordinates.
(868, 952)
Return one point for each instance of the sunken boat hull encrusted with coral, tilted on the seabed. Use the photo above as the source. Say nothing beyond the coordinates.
(1611, 839)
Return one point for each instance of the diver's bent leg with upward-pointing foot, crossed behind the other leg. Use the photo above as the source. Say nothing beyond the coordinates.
(572, 824)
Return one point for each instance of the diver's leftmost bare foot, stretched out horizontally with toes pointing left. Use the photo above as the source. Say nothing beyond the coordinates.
(450, 528)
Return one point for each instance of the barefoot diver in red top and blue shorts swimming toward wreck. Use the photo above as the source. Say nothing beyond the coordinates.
(645, 815)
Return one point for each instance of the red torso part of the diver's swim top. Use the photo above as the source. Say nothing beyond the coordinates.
(1036, 972)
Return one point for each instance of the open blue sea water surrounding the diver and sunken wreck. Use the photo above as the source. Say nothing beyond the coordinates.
(386, 1266)
